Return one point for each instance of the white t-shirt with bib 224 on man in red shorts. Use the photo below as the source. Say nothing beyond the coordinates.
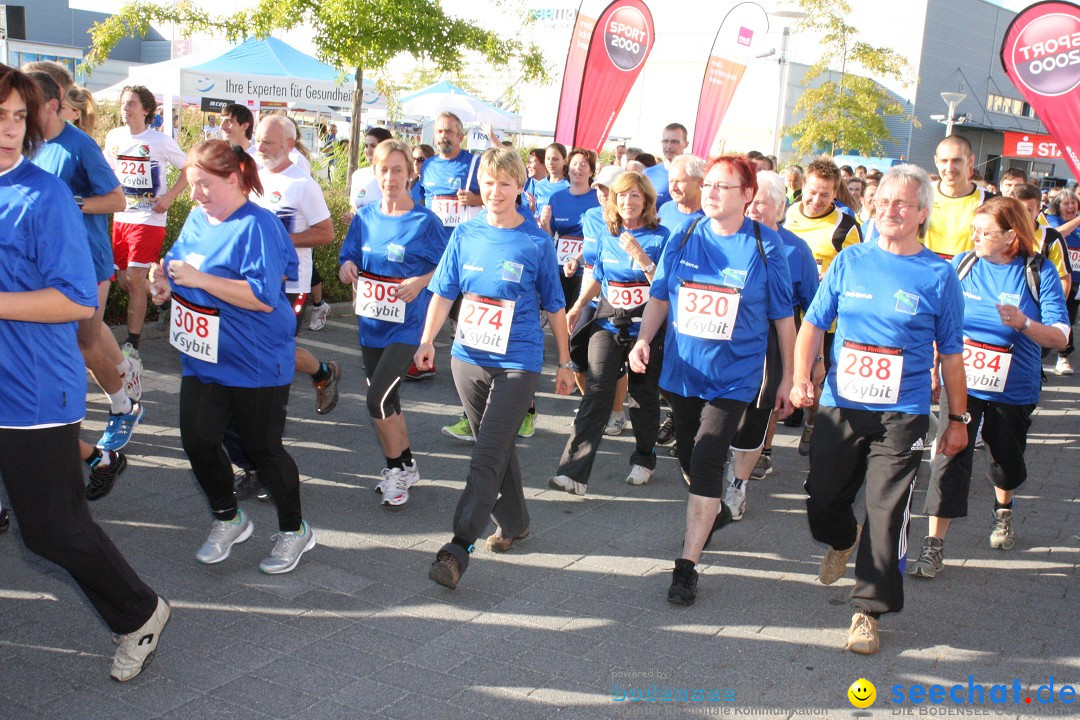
(140, 162)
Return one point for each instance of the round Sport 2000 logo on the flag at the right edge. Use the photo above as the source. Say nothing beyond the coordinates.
(1047, 55)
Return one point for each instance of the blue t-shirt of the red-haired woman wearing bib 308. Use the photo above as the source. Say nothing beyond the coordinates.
(253, 246)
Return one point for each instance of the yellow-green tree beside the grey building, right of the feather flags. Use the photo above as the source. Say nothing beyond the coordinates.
(847, 114)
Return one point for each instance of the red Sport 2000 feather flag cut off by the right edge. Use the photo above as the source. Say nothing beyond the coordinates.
(1042, 56)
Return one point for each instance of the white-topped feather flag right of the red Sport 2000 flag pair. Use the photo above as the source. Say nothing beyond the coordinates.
(741, 32)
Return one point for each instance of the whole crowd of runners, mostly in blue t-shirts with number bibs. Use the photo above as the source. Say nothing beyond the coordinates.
(836, 300)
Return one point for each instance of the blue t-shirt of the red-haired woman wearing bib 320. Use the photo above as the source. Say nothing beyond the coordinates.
(719, 286)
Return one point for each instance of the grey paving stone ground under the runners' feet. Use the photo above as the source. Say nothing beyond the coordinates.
(568, 624)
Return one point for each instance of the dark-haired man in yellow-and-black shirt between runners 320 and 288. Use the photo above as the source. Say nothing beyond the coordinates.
(827, 230)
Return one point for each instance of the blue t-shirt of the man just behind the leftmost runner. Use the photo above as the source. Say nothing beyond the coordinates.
(76, 158)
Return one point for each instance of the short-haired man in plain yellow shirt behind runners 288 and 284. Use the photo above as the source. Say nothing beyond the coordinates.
(956, 199)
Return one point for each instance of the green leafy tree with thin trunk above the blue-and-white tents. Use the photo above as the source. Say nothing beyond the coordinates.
(366, 35)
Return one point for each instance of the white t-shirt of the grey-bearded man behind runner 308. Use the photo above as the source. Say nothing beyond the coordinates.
(299, 202)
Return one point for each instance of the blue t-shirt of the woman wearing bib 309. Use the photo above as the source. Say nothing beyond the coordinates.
(393, 249)
